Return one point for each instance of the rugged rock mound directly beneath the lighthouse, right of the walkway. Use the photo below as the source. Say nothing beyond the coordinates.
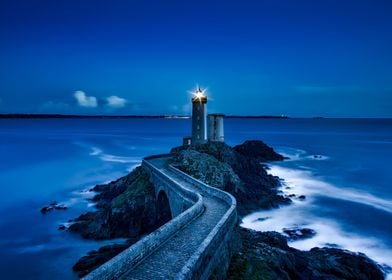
(243, 176)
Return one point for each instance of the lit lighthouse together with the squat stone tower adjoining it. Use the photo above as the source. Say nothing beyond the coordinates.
(204, 129)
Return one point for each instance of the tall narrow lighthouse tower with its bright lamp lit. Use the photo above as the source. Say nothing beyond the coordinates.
(199, 102)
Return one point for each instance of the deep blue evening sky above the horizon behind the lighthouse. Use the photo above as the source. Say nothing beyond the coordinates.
(298, 58)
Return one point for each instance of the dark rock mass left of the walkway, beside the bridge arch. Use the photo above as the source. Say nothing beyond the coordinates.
(126, 208)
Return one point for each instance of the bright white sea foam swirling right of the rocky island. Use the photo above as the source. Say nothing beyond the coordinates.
(301, 214)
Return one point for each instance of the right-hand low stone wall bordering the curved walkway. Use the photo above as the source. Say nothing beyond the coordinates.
(216, 245)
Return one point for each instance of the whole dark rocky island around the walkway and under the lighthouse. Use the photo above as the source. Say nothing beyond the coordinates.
(126, 208)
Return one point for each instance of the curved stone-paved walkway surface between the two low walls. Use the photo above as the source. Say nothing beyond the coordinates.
(168, 260)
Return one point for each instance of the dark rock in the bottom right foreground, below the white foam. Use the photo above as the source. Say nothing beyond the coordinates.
(266, 255)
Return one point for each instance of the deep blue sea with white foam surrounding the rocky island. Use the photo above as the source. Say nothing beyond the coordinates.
(341, 166)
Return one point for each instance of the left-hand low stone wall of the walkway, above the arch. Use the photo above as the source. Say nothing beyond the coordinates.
(147, 245)
